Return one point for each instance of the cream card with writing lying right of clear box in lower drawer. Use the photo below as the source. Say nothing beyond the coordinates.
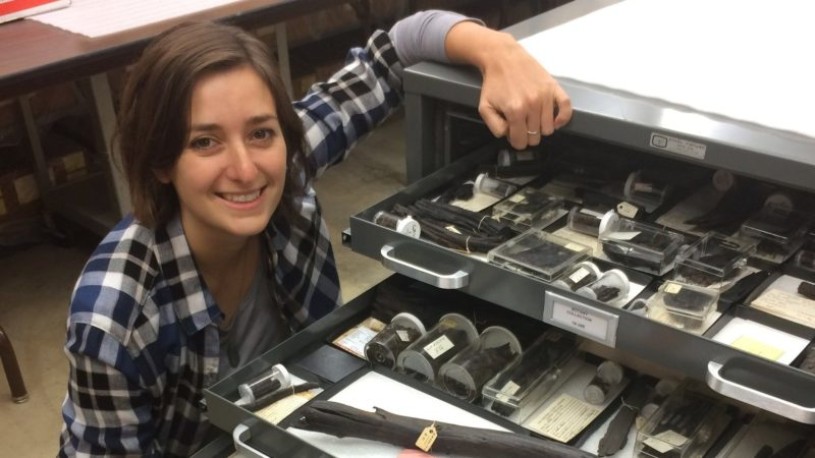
(564, 418)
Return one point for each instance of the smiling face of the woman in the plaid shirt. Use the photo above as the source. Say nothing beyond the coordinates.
(229, 178)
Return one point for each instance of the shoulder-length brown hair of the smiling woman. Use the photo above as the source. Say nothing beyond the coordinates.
(154, 110)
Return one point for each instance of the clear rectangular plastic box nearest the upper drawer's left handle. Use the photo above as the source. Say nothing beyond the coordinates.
(539, 254)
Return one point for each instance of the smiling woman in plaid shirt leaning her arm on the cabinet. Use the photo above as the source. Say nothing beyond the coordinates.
(227, 252)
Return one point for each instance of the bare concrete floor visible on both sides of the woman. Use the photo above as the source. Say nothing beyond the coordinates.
(35, 285)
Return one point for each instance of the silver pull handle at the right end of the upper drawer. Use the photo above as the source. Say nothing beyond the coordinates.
(765, 385)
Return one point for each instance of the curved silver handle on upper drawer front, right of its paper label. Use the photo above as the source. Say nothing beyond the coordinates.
(718, 381)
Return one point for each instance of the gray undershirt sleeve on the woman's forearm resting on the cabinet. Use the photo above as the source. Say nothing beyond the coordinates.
(421, 36)
